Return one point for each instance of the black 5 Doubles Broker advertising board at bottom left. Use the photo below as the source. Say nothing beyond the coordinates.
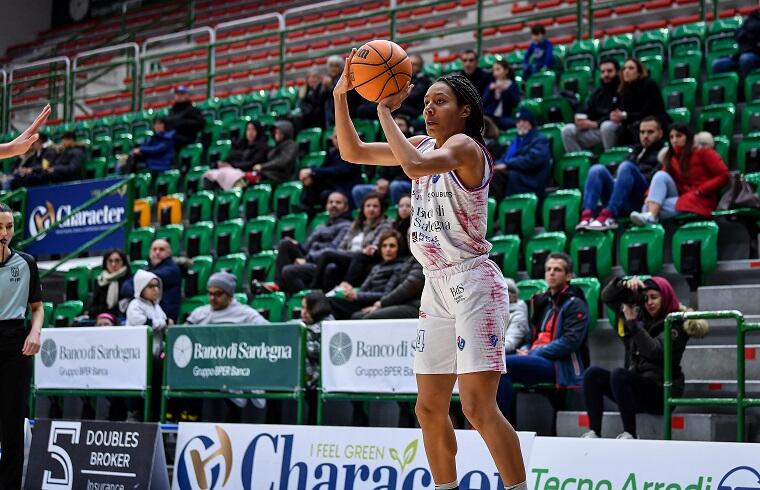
(88, 455)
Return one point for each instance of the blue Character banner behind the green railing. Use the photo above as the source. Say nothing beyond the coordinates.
(53, 203)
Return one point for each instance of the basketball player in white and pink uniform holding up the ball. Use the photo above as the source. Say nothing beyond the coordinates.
(465, 306)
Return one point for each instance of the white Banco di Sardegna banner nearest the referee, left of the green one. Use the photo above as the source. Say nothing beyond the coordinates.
(106, 358)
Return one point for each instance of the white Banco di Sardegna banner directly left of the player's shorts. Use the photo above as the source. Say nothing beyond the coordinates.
(375, 356)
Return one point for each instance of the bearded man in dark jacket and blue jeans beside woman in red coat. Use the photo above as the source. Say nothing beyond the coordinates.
(624, 193)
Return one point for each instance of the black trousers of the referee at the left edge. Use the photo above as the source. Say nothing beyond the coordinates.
(15, 376)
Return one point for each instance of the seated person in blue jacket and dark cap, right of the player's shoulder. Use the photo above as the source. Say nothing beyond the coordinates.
(526, 165)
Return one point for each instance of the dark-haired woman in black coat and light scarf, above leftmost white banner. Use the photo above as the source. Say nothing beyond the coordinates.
(109, 282)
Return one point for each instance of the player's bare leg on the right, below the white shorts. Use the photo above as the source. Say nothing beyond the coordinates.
(478, 394)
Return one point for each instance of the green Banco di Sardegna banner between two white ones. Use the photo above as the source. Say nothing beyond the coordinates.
(234, 357)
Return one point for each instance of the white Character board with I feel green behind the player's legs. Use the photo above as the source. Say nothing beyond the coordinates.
(282, 457)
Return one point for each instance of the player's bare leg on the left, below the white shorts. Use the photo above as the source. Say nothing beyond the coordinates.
(432, 409)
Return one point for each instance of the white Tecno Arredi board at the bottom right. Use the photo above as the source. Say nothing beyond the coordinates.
(609, 464)
